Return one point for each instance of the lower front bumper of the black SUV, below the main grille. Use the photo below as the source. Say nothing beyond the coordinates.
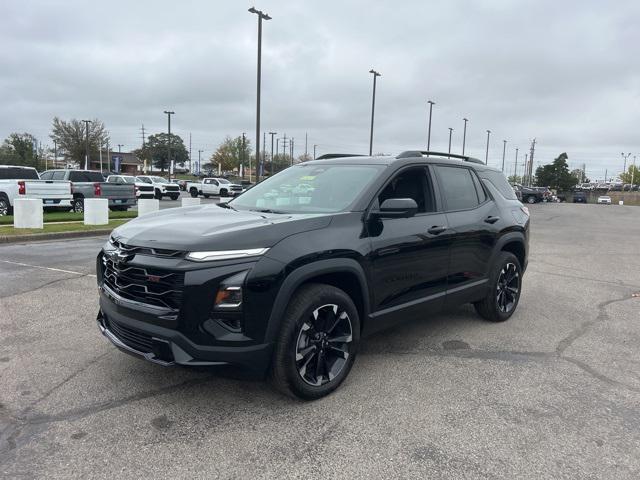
(168, 346)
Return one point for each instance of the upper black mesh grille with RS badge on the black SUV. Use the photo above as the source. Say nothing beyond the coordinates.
(151, 286)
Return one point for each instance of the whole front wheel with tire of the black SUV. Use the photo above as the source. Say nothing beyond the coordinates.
(317, 344)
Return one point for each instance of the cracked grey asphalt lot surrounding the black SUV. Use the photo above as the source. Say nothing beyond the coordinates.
(552, 393)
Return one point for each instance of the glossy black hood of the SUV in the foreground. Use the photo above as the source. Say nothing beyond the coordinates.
(209, 227)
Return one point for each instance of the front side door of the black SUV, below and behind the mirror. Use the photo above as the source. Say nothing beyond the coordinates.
(410, 256)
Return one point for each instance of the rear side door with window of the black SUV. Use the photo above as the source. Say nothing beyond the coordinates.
(474, 221)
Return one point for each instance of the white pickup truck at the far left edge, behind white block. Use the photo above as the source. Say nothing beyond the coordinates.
(24, 182)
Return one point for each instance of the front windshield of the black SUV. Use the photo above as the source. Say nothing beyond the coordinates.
(309, 189)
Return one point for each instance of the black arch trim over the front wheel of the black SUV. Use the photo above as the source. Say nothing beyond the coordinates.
(343, 273)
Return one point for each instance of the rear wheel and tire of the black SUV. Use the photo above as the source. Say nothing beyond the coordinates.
(504, 292)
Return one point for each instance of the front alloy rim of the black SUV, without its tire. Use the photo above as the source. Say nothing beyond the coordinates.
(322, 348)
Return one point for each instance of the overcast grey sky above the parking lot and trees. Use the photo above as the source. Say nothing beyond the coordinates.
(565, 72)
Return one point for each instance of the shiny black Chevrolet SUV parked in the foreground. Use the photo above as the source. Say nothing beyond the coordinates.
(286, 278)
